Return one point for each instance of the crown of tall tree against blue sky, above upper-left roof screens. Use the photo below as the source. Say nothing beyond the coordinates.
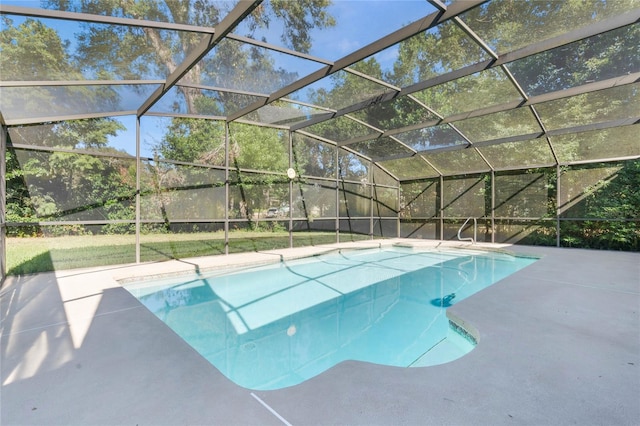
(138, 53)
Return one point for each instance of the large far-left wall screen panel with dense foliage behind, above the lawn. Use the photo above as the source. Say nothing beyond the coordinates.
(54, 186)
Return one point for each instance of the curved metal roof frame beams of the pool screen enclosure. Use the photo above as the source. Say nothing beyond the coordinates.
(452, 13)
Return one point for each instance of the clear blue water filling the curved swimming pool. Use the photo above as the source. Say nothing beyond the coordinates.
(275, 326)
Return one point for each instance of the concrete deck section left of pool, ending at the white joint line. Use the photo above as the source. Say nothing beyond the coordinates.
(75, 353)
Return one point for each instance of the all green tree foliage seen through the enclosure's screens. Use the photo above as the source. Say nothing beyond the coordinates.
(55, 185)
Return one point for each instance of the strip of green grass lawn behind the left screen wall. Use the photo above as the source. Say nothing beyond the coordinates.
(32, 255)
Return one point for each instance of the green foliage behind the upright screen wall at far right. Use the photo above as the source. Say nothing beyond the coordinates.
(612, 201)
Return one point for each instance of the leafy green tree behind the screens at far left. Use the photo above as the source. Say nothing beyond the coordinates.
(60, 185)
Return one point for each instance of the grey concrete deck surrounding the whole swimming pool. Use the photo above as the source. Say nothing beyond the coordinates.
(559, 344)
